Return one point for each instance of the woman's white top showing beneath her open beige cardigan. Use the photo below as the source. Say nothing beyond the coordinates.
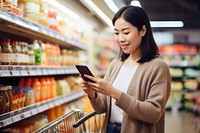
(121, 82)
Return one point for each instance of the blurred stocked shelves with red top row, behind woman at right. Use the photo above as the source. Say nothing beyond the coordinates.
(184, 63)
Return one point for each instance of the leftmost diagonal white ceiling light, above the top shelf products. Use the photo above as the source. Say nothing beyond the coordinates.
(62, 8)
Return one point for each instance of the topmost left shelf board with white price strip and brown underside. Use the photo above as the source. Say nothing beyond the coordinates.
(22, 27)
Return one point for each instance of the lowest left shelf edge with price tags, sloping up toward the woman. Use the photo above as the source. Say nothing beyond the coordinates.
(20, 114)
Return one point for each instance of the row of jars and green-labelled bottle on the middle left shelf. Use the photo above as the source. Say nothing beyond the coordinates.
(14, 52)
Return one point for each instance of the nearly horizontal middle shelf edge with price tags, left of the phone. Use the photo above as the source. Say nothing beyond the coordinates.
(17, 71)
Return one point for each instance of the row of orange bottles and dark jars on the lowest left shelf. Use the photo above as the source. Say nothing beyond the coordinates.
(34, 90)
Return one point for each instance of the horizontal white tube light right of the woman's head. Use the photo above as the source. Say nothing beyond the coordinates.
(157, 24)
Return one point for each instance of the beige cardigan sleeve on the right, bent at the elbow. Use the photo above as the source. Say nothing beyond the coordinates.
(157, 86)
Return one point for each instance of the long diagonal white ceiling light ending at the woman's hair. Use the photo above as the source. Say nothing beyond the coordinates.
(99, 12)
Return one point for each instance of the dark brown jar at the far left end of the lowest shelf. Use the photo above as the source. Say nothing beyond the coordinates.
(4, 99)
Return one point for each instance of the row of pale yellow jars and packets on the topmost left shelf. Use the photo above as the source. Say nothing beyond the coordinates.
(40, 12)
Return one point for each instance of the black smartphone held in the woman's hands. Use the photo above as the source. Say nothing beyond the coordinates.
(84, 70)
